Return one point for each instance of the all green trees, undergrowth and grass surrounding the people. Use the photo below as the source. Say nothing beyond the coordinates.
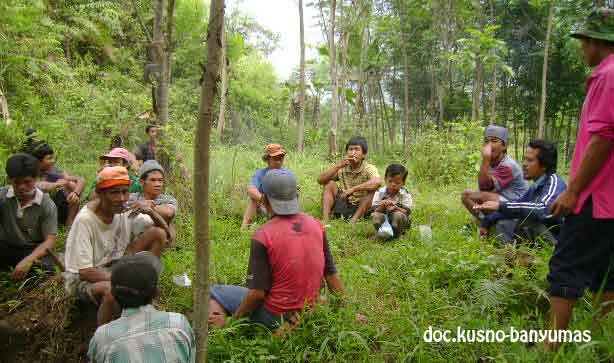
(418, 78)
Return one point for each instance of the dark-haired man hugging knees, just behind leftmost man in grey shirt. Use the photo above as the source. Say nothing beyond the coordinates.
(65, 189)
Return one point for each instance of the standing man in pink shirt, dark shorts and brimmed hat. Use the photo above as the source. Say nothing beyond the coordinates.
(584, 256)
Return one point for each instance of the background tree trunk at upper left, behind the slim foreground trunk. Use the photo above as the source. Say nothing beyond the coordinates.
(160, 59)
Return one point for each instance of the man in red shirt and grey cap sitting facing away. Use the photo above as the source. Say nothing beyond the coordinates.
(289, 259)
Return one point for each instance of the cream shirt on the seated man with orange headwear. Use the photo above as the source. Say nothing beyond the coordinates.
(93, 243)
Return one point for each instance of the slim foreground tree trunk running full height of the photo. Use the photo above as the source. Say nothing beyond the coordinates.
(201, 177)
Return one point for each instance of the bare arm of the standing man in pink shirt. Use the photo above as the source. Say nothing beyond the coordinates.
(598, 151)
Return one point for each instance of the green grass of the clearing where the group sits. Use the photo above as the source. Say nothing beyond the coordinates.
(403, 287)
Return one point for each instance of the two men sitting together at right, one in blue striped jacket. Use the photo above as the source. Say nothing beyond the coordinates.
(505, 204)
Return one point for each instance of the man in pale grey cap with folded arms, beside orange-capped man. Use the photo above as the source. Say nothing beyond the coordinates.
(152, 179)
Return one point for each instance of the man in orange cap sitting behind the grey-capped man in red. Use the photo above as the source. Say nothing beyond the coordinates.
(274, 157)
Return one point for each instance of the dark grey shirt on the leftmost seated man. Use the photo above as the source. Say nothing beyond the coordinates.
(26, 227)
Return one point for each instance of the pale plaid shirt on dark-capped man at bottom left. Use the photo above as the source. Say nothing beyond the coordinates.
(144, 334)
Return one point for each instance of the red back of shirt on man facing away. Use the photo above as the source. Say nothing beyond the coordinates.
(295, 249)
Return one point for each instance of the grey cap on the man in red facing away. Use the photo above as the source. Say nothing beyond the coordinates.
(279, 186)
